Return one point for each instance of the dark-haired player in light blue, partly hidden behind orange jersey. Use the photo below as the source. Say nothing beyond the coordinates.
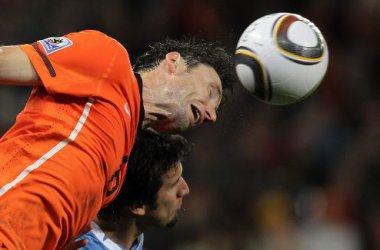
(151, 195)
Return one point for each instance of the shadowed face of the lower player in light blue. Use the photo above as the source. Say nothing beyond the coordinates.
(169, 199)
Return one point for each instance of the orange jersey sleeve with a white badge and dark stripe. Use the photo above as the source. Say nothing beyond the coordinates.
(82, 64)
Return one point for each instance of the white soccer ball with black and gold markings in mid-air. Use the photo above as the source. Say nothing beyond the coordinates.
(281, 58)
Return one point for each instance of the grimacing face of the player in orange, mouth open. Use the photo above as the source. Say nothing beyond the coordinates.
(188, 97)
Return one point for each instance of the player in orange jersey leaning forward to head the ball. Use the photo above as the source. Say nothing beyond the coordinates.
(66, 155)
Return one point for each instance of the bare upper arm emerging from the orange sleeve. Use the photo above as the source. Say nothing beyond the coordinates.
(15, 67)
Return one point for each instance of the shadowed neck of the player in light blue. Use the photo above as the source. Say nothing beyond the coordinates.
(123, 233)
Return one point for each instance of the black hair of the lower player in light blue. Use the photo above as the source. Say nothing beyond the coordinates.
(152, 156)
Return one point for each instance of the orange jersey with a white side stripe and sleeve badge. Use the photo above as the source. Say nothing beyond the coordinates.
(66, 155)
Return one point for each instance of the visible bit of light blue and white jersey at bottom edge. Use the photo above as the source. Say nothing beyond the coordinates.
(97, 240)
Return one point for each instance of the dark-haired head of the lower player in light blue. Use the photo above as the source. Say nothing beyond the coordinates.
(153, 188)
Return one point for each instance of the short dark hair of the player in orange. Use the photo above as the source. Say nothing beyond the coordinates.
(194, 51)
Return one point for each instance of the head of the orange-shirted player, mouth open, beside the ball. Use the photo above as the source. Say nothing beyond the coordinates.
(184, 82)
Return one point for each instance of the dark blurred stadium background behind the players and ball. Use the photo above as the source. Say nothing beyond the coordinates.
(298, 177)
